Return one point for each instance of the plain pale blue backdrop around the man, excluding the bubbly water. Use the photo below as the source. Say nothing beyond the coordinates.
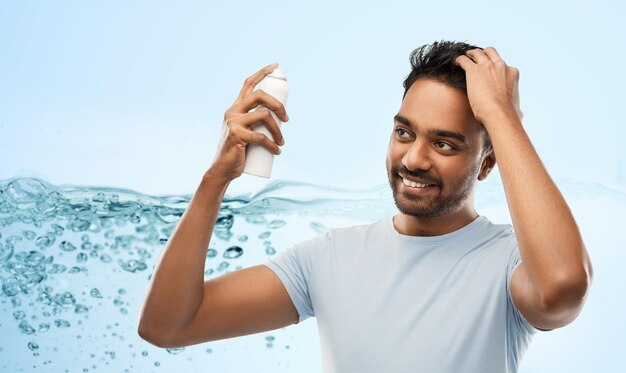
(132, 95)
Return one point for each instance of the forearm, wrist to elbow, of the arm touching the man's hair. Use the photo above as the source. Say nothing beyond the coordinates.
(549, 240)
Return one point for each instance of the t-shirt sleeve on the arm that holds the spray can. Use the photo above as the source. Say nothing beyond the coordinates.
(294, 267)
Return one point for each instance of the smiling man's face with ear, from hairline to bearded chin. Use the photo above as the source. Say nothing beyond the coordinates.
(436, 141)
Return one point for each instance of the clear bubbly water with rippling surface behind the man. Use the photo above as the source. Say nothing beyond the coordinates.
(75, 261)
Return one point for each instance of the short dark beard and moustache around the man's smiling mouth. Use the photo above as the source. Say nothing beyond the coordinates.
(432, 204)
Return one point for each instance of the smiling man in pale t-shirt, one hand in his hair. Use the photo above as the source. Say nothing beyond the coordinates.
(435, 288)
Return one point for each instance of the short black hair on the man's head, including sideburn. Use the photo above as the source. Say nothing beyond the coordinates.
(436, 61)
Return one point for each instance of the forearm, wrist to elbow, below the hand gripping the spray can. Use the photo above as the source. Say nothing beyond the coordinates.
(176, 288)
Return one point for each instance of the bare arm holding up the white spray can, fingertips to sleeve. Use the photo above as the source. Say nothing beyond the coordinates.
(180, 308)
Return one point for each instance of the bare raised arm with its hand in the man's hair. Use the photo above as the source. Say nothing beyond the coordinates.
(551, 284)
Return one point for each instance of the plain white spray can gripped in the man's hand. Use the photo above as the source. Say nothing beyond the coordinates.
(259, 159)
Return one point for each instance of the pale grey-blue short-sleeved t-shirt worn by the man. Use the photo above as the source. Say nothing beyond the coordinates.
(388, 302)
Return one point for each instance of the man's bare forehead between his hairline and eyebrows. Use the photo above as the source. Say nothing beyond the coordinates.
(430, 105)
